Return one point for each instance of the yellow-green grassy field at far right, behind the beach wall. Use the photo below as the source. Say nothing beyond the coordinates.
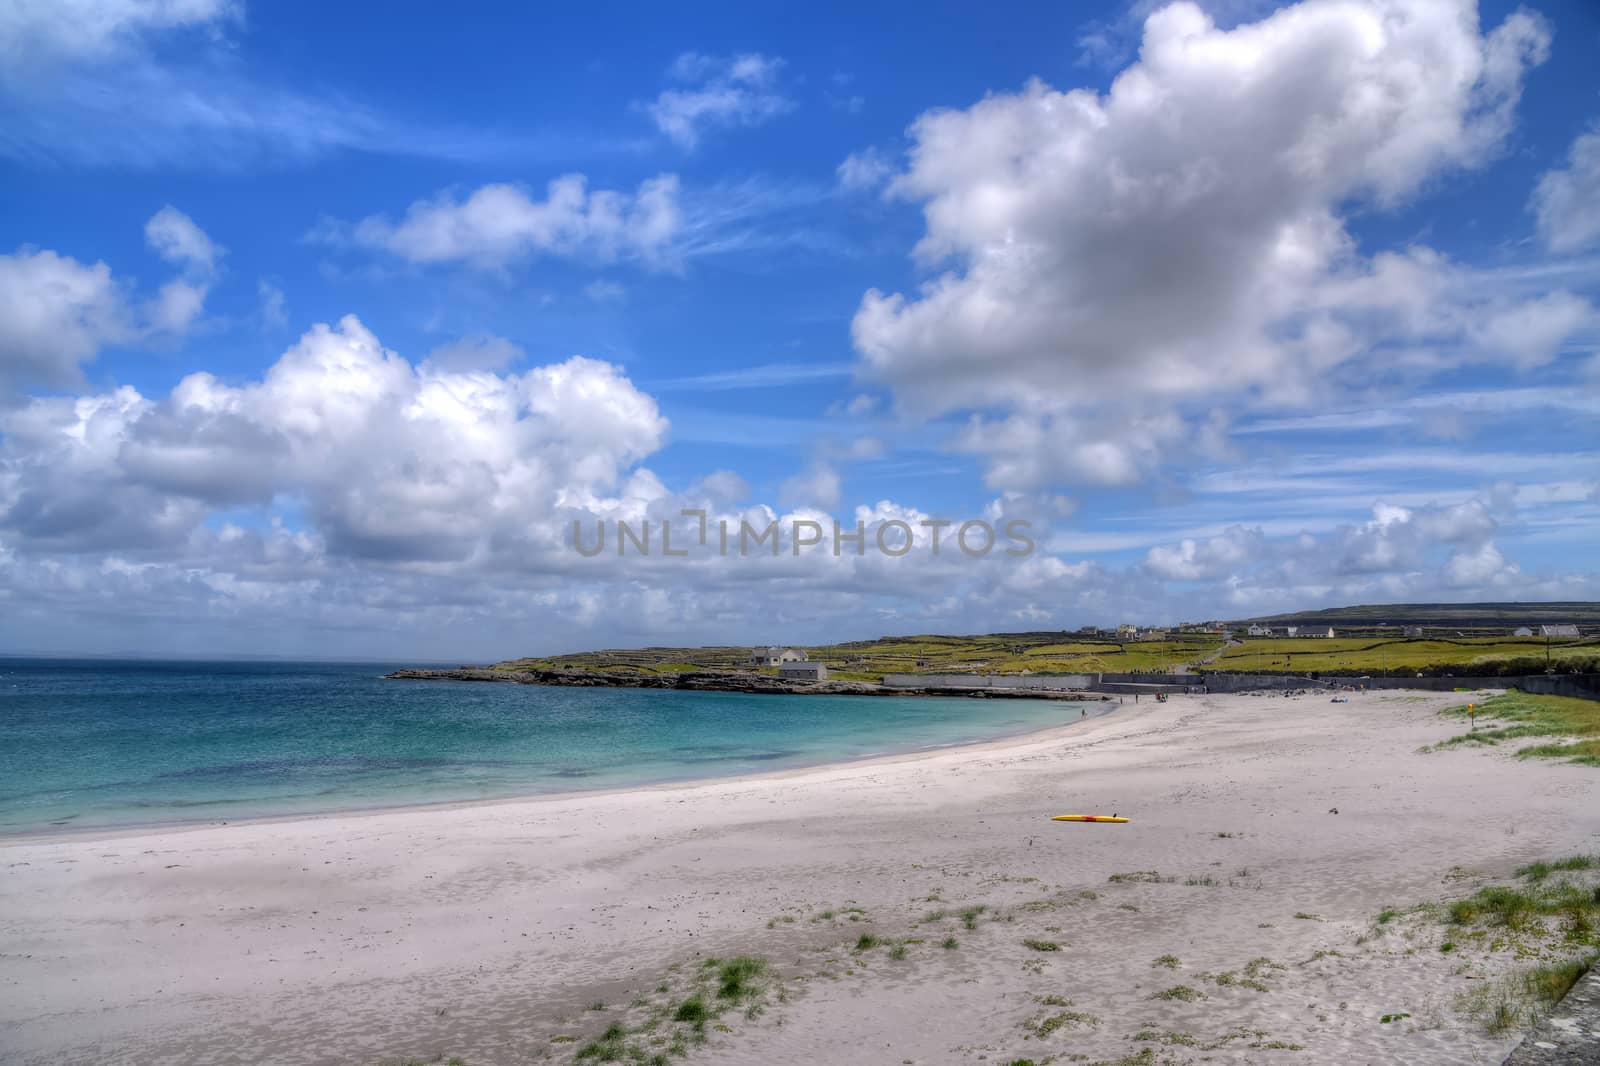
(1367, 655)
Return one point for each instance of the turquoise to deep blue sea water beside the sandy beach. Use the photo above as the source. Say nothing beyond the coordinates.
(98, 743)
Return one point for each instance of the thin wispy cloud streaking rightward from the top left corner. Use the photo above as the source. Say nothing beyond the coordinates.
(164, 84)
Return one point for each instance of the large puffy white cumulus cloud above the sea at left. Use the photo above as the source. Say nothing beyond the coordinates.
(393, 462)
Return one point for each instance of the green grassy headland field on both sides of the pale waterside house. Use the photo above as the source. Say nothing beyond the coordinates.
(871, 660)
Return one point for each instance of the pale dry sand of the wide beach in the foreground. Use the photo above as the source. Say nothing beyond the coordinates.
(486, 931)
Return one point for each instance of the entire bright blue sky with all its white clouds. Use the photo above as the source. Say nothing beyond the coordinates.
(326, 327)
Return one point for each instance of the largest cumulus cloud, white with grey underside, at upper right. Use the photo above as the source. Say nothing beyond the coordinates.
(1111, 262)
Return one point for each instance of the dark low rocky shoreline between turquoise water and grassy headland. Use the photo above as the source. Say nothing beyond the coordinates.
(722, 681)
